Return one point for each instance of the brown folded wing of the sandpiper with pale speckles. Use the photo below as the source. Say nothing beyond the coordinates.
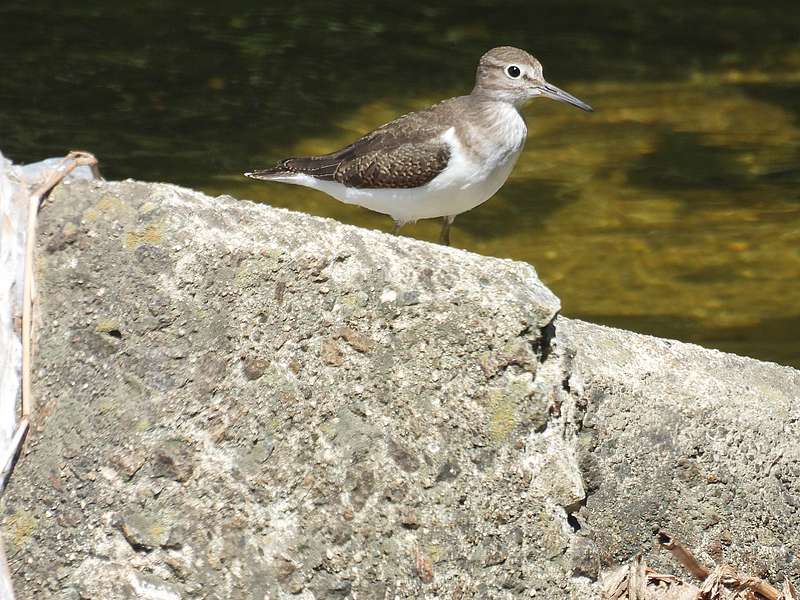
(405, 153)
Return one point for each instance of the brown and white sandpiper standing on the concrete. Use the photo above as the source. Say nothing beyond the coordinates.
(440, 161)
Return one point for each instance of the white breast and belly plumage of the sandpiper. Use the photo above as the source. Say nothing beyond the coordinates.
(470, 178)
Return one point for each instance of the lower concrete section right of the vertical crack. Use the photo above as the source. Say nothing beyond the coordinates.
(701, 443)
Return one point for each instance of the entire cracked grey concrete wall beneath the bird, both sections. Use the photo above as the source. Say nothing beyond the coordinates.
(242, 402)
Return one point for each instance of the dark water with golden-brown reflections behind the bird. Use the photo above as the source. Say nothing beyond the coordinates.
(674, 209)
